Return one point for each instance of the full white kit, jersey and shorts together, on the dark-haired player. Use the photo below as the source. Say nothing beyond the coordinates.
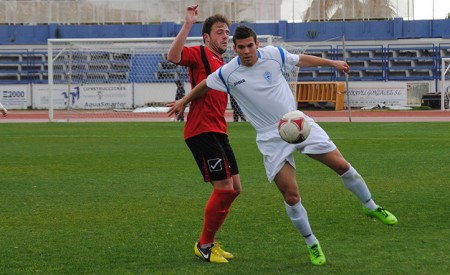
(264, 96)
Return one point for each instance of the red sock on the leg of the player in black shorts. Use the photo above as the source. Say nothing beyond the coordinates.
(216, 211)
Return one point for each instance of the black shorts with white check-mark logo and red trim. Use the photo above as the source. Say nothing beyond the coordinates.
(214, 156)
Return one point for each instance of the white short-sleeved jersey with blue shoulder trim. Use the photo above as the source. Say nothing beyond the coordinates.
(261, 90)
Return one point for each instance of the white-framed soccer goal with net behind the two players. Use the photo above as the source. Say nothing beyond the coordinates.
(118, 79)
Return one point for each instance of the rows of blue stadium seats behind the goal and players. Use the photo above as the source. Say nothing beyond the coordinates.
(375, 63)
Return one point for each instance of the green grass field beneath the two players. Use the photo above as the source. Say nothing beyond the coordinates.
(127, 198)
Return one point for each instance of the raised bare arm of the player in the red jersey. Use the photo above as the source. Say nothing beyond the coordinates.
(174, 53)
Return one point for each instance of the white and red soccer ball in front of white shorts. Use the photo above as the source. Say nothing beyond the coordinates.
(293, 127)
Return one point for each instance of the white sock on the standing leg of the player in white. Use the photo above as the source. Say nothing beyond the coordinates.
(299, 217)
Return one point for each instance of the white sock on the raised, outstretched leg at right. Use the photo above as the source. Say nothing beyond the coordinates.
(355, 183)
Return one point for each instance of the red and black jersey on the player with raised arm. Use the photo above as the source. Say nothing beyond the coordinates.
(206, 114)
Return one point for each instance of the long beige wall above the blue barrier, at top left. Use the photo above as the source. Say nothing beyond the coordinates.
(132, 11)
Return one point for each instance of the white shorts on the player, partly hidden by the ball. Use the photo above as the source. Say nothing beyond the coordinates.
(276, 151)
